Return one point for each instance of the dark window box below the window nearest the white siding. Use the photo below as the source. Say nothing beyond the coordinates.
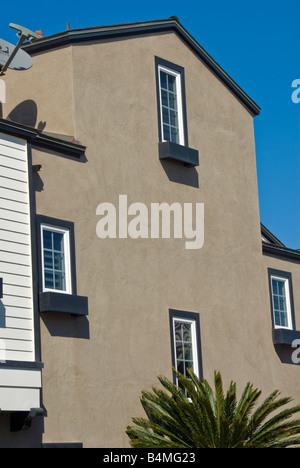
(64, 303)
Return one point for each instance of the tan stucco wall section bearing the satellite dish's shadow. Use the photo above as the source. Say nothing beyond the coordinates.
(42, 96)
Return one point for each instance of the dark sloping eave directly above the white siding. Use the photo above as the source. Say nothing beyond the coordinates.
(37, 138)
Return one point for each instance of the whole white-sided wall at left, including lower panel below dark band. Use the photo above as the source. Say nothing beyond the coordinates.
(19, 387)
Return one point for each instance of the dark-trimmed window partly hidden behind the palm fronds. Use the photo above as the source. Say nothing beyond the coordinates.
(185, 342)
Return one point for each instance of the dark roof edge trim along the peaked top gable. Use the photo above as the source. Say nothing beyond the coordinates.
(75, 36)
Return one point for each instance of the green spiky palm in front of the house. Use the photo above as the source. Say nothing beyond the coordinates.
(193, 416)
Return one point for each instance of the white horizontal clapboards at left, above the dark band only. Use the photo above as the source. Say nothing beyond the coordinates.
(16, 307)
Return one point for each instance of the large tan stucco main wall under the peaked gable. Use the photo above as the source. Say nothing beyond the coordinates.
(95, 367)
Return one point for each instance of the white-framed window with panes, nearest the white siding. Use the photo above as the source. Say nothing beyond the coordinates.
(56, 259)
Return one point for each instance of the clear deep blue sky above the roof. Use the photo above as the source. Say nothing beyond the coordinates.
(257, 42)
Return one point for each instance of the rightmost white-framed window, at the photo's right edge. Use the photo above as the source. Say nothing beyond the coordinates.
(281, 299)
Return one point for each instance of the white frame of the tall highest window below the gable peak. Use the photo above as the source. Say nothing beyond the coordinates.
(179, 102)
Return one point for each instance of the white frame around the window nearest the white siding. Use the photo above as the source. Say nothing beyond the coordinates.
(67, 257)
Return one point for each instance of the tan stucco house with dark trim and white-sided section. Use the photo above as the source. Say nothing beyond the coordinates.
(107, 124)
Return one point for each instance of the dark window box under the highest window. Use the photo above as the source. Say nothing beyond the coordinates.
(175, 152)
